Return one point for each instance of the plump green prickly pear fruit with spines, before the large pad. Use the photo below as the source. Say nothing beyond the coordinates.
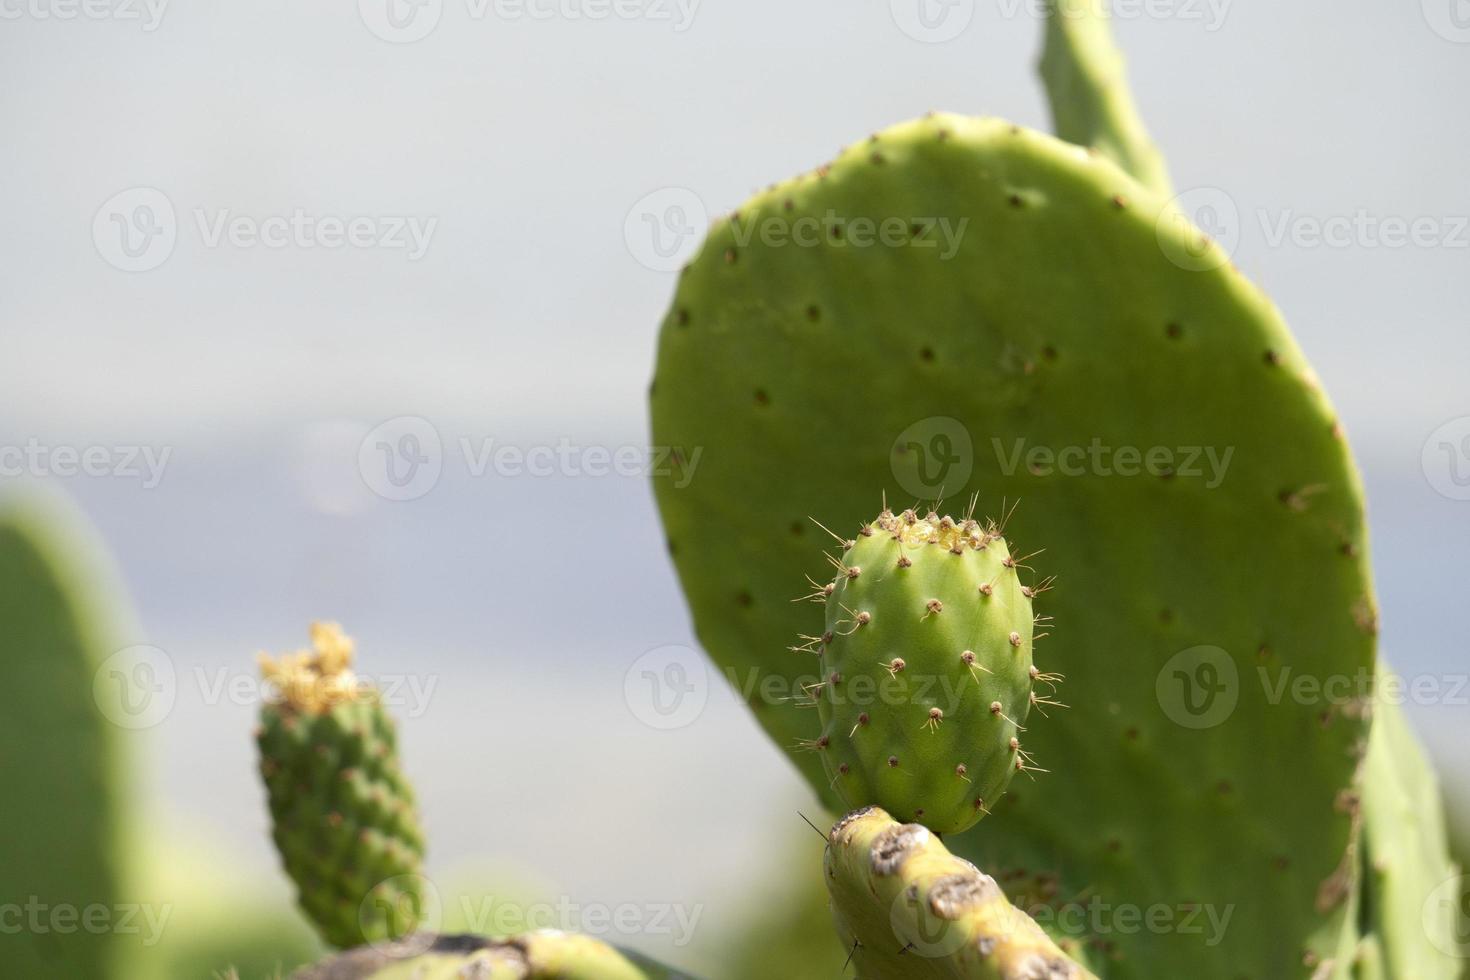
(928, 669)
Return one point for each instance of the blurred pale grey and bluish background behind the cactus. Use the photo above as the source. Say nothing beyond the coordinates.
(298, 275)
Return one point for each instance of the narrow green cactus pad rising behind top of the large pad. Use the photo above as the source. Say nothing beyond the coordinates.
(1087, 86)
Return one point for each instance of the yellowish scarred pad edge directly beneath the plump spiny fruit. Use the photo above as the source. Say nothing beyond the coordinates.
(909, 910)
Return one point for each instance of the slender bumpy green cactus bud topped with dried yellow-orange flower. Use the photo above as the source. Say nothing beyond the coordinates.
(343, 812)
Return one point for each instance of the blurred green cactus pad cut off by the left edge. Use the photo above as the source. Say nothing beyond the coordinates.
(61, 756)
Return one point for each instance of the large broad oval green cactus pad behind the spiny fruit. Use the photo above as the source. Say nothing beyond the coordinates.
(1040, 327)
